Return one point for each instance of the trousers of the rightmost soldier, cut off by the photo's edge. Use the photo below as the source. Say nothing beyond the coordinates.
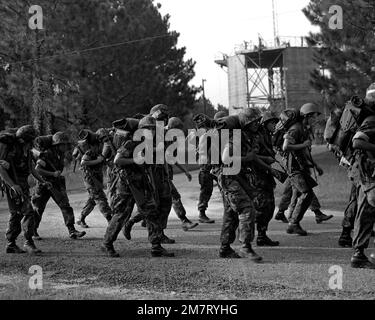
(365, 218)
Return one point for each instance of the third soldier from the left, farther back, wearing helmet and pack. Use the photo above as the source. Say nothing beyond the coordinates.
(92, 166)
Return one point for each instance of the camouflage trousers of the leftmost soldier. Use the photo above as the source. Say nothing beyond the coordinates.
(22, 215)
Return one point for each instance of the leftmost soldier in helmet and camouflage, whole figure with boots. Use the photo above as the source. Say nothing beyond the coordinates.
(15, 168)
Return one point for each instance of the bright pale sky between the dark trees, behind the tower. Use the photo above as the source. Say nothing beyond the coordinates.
(210, 27)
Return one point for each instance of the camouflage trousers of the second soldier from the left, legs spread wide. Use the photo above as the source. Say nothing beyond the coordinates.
(59, 195)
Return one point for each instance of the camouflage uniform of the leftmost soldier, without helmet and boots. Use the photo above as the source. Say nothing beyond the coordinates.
(22, 214)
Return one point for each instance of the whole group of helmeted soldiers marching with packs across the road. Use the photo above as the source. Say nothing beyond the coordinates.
(267, 141)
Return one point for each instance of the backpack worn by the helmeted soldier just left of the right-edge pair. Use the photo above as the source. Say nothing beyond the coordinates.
(288, 118)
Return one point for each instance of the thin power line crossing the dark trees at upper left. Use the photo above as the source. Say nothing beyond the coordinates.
(71, 53)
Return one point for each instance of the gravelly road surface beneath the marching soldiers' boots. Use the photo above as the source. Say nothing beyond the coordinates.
(298, 269)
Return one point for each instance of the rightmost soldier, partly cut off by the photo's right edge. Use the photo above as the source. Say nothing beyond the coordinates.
(364, 144)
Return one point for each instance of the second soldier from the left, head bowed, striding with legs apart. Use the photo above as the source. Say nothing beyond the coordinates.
(50, 165)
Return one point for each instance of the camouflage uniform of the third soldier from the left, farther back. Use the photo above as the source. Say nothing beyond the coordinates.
(93, 180)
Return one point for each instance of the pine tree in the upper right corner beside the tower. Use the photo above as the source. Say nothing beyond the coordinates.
(345, 56)
